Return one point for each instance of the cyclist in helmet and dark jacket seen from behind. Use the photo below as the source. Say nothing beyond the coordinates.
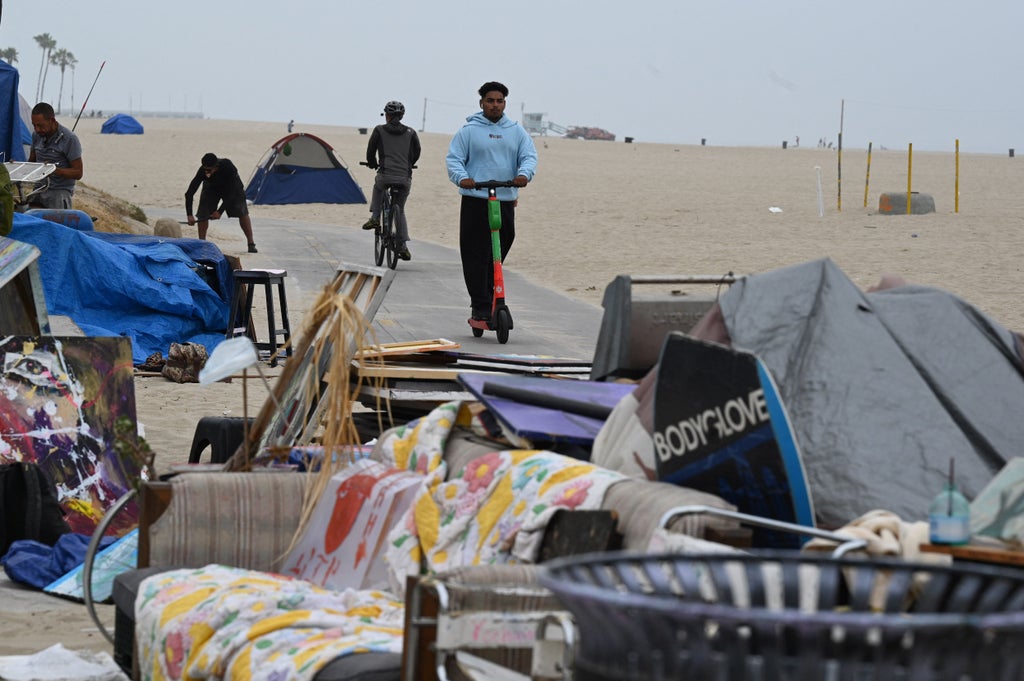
(393, 151)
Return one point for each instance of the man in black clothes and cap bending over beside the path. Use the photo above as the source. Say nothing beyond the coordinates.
(222, 185)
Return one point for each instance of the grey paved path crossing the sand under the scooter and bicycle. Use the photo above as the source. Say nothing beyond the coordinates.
(428, 299)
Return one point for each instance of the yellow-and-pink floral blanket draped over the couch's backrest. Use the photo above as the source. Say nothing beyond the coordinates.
(492, 513)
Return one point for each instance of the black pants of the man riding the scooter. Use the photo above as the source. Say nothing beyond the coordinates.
(475, 244)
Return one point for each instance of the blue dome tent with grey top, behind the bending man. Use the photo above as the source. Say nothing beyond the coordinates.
(303, 169)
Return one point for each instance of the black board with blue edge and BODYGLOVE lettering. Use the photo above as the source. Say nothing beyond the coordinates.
(721, 428)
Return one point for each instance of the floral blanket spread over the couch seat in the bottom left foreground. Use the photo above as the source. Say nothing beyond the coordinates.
(221, 622)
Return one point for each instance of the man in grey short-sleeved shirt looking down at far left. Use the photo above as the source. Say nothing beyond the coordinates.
(53, 143)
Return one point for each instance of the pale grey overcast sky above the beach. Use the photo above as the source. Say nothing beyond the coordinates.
(735, 73)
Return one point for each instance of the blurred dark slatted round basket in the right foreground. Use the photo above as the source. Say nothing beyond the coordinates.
(790, 616)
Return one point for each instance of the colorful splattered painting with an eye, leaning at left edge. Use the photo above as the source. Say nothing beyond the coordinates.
(61, 399)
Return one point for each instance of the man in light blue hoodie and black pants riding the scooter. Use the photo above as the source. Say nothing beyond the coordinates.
(490, 147)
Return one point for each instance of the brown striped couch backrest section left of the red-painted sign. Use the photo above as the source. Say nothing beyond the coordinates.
(233, 519)
